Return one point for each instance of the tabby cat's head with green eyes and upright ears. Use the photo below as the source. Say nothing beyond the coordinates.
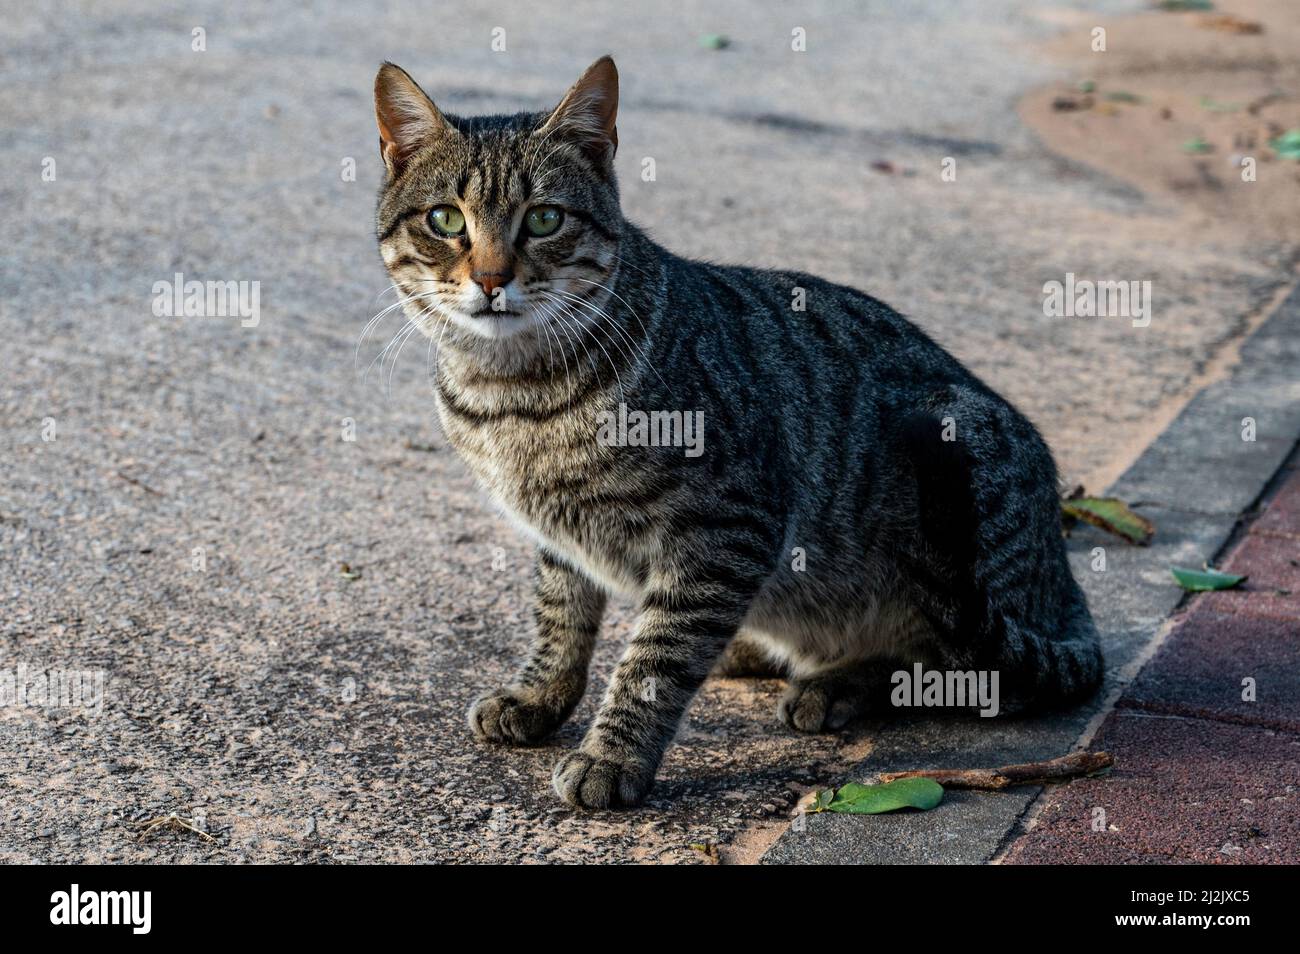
(500, 231)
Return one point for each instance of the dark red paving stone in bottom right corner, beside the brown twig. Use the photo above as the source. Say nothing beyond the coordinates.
(1182, 791)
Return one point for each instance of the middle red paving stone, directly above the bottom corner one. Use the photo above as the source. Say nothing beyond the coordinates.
(1201, 671)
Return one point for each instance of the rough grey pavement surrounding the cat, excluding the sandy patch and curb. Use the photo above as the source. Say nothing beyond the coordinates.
(311, 713)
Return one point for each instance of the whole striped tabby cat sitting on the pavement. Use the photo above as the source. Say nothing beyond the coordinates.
(861, 502)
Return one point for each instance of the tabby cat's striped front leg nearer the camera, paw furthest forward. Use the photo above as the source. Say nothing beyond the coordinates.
(682, 634)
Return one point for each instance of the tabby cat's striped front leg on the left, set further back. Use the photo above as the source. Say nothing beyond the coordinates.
(567, 609)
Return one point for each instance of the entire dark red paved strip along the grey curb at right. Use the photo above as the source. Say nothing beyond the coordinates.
(1201, 774)
